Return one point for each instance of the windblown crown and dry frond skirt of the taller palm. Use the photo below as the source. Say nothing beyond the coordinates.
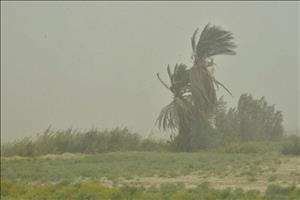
(213, 41)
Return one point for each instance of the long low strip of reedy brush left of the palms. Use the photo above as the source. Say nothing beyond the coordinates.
(72, 141)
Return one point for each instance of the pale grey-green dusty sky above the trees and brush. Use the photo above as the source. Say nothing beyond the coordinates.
(94, 64)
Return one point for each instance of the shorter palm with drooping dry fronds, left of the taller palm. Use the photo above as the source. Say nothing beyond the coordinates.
(178, 114)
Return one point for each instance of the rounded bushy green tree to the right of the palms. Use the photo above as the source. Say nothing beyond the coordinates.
(252, 120)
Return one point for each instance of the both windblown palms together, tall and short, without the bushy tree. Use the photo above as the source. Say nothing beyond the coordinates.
(194, 89)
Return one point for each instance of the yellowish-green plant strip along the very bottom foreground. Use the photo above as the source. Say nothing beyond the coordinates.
(93, 190)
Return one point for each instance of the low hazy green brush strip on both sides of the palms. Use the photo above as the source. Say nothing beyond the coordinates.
(116, 140)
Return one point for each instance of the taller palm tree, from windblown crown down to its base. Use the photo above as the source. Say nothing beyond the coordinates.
(213, 41)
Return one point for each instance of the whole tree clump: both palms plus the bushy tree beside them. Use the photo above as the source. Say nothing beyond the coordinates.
(198, 119)
